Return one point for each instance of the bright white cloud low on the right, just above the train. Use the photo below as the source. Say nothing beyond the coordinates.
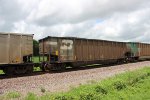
(124, 26)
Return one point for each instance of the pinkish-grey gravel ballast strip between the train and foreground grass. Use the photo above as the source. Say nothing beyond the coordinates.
(56, 82)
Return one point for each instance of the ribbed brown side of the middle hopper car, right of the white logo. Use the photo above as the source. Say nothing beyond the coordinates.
(98, 50)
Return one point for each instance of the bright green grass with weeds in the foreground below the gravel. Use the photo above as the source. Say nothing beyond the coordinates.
(127, 86)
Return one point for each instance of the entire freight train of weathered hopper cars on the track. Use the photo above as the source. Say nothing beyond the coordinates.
(57, 53)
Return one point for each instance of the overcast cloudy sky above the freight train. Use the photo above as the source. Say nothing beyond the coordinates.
(117, 20)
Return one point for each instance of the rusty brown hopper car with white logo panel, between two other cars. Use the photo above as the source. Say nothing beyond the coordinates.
(69, 51)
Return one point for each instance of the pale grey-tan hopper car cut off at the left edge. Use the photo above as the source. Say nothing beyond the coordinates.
(16, 52)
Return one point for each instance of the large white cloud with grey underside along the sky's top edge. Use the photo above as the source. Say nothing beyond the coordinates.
(50, 12)
